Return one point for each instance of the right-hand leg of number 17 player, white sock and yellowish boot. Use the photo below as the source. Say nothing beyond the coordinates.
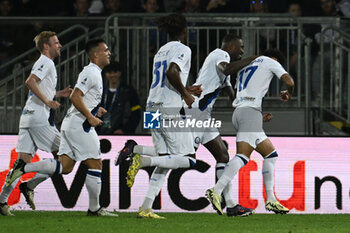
(267, 150)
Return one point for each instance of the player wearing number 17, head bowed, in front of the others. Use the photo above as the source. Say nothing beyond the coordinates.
(252, 84)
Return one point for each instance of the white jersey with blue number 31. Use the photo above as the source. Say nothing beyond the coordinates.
(161, 91)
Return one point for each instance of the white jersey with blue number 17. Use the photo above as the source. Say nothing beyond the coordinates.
(253, 81)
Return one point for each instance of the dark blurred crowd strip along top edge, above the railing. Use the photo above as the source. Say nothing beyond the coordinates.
(108, 7)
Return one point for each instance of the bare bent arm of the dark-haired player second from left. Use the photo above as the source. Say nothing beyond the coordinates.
(77, 101)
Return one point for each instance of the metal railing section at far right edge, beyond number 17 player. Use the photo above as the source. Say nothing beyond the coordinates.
(334, 92)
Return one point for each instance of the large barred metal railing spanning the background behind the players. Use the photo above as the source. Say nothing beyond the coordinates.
(134, 38)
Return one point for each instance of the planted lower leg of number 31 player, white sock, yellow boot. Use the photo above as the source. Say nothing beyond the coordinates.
(155, 185)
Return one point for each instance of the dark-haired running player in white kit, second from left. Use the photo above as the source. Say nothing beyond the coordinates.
(77, 143)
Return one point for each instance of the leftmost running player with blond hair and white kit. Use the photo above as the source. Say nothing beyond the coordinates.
(35, 130)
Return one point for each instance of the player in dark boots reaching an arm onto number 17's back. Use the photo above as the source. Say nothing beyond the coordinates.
(213, 78)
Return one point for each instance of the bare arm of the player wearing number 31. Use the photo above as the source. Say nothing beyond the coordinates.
(173, 75)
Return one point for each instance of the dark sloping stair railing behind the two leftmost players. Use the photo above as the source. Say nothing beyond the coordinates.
(13, 90)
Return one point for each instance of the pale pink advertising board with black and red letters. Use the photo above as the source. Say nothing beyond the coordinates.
(312, 176)
